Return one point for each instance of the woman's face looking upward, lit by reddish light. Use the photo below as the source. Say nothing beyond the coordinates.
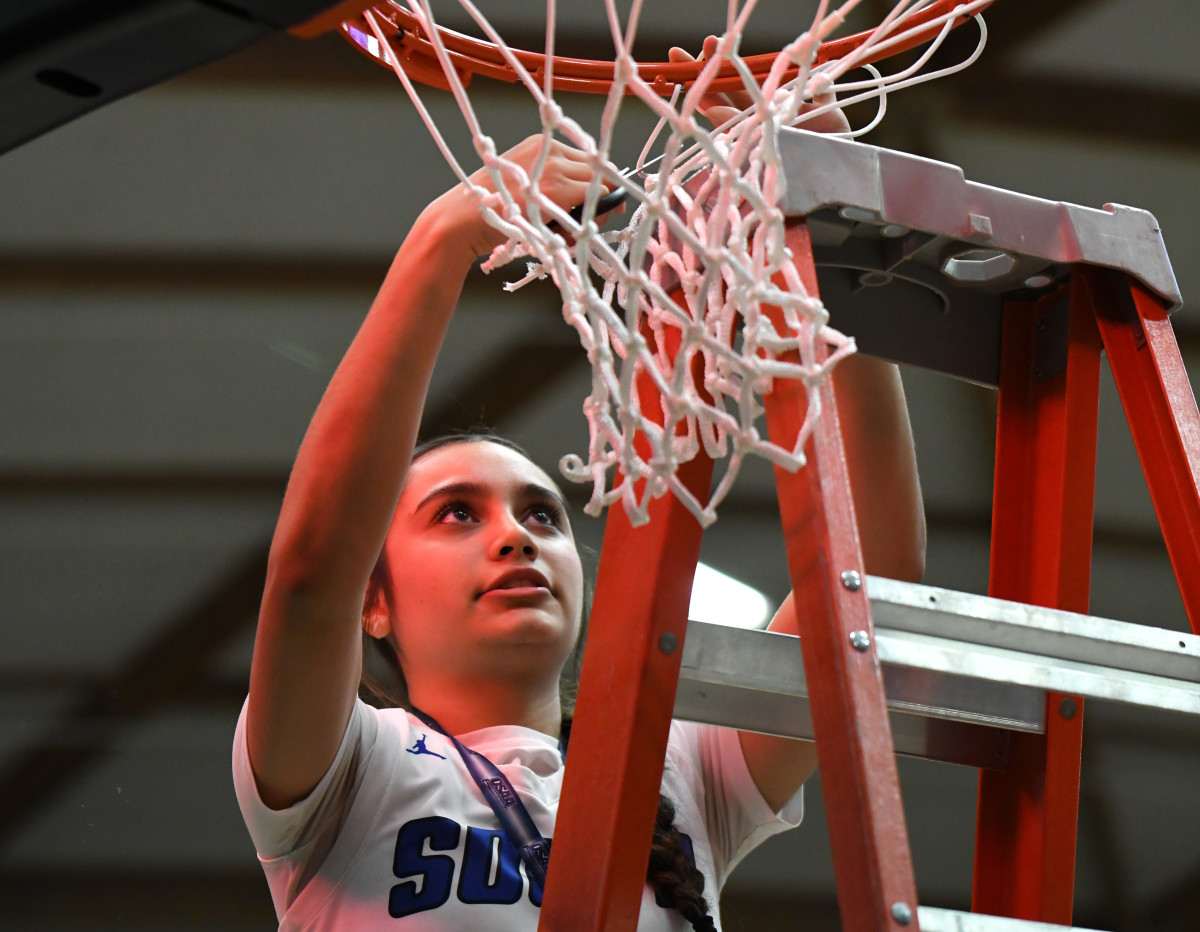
(487, 580)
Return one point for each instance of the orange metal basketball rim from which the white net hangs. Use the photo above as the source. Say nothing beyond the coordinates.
(475, 57)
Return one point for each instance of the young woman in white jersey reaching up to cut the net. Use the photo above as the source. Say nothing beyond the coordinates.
(461, 563)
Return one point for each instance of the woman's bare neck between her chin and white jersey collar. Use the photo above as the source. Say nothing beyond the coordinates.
(485, 705)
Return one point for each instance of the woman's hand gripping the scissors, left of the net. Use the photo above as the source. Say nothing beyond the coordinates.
(565, 181)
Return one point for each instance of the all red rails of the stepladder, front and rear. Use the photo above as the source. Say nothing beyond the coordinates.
(1041, 555)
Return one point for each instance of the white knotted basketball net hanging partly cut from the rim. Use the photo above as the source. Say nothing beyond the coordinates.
(700, 256)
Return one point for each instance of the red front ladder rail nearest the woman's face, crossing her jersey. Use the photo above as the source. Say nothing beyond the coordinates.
(627, 694)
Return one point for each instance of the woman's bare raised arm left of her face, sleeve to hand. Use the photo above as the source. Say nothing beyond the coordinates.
(345, 486)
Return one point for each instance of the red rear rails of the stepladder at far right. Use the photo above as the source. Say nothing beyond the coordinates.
(1042, 546)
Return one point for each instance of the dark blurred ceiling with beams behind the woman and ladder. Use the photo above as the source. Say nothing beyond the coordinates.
(179, 274)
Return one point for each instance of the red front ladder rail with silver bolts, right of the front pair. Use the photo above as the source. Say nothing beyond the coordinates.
(859, 773)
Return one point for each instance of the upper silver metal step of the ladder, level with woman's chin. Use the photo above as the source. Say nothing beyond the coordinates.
(961, 671)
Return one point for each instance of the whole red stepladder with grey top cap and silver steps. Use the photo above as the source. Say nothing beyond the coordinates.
(995, 287)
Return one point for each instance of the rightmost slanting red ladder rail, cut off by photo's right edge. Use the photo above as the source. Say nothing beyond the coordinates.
(1162, 413)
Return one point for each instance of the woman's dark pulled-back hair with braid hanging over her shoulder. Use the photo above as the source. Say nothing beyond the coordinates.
(671, 873)
